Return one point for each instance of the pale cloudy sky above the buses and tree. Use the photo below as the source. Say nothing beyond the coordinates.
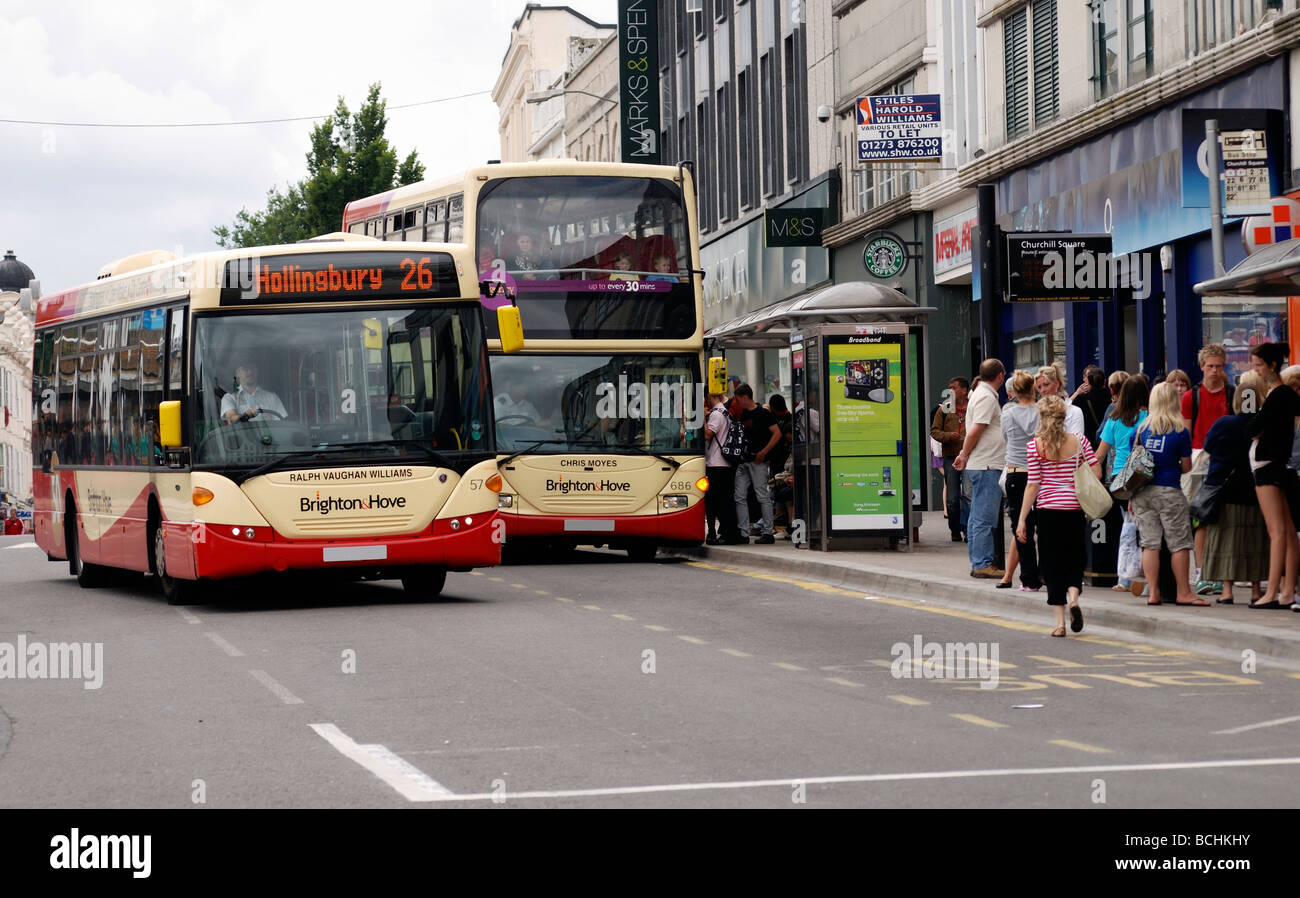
(76, 198)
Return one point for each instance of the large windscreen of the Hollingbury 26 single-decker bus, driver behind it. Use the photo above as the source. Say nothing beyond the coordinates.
(353, 384)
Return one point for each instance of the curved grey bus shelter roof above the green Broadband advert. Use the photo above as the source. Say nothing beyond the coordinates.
(840, 303)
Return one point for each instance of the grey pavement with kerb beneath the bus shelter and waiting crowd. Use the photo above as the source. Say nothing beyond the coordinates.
(938, 570)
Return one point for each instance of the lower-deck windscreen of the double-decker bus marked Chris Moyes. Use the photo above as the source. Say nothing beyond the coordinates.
(597, 404)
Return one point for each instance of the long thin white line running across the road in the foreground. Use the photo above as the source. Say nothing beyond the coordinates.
(873, 778)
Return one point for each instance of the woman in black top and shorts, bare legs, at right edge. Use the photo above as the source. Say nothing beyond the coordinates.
(1276, 485)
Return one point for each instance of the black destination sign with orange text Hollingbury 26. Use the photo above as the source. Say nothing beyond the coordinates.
(326, 277)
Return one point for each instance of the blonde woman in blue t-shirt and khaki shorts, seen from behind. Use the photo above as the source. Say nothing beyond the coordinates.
(1160, 506)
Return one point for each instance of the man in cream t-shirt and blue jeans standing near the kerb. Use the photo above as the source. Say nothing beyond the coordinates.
(982, 458)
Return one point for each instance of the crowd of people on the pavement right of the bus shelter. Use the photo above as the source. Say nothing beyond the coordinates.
(1203, 479)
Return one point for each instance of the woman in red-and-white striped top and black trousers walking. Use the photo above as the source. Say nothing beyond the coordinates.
(1054, 457)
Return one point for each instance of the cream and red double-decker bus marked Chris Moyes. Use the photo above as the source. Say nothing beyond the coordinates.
(600, 417)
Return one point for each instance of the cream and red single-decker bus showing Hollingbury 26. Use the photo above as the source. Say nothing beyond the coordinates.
(320, 406)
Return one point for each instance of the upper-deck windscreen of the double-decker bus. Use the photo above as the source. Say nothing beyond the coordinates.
(591, 258)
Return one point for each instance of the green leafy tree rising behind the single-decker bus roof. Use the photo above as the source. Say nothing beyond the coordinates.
(349, 159)
